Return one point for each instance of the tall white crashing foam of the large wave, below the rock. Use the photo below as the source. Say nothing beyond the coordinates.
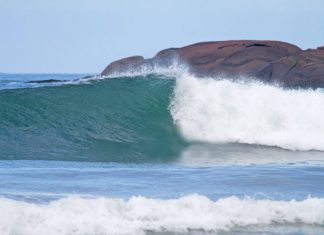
(224, 111)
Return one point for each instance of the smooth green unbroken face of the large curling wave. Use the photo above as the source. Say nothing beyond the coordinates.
(121, 120)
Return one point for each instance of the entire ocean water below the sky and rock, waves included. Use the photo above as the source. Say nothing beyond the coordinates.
(159, 153)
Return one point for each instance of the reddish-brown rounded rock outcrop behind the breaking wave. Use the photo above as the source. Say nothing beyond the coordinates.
(269, 61)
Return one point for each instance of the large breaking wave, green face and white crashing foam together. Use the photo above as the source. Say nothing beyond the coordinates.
(133, 119)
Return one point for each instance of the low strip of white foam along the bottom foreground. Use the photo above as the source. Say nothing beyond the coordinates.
(106, 216)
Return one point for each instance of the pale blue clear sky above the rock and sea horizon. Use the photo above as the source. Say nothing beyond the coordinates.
(83, 36)
